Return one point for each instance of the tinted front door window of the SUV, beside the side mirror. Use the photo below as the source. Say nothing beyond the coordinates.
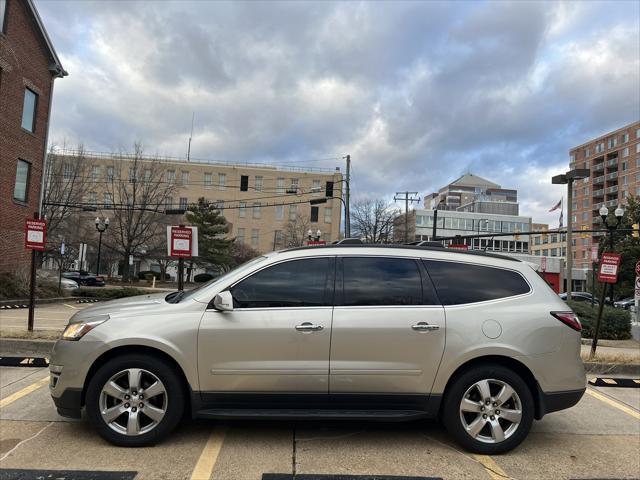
(298, 283)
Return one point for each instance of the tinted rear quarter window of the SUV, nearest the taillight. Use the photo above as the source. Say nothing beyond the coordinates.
(459, 283)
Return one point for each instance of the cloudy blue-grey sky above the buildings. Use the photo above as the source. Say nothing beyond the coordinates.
(416, 92)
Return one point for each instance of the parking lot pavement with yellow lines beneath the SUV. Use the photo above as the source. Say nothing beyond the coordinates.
(598, 438)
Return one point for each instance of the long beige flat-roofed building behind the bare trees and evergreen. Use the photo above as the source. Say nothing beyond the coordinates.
(257, 200)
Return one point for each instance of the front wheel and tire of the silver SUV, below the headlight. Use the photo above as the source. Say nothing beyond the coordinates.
(115, 408)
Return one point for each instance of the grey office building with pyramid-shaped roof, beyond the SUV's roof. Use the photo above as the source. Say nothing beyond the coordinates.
(471, 193)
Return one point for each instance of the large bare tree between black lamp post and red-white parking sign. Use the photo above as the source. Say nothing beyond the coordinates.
(139, 194)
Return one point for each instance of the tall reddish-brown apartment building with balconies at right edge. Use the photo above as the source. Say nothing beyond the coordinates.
(614, 161)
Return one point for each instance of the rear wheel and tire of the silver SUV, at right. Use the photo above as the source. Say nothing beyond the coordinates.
(486, 421)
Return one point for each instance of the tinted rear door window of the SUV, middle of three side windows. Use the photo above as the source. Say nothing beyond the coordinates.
(381, 281)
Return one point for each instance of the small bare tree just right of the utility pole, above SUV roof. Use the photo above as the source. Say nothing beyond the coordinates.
(372, 220)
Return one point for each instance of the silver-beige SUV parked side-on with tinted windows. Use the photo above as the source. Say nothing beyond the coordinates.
(358, 332)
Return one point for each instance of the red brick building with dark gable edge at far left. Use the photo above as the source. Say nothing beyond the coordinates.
(28, 67)
